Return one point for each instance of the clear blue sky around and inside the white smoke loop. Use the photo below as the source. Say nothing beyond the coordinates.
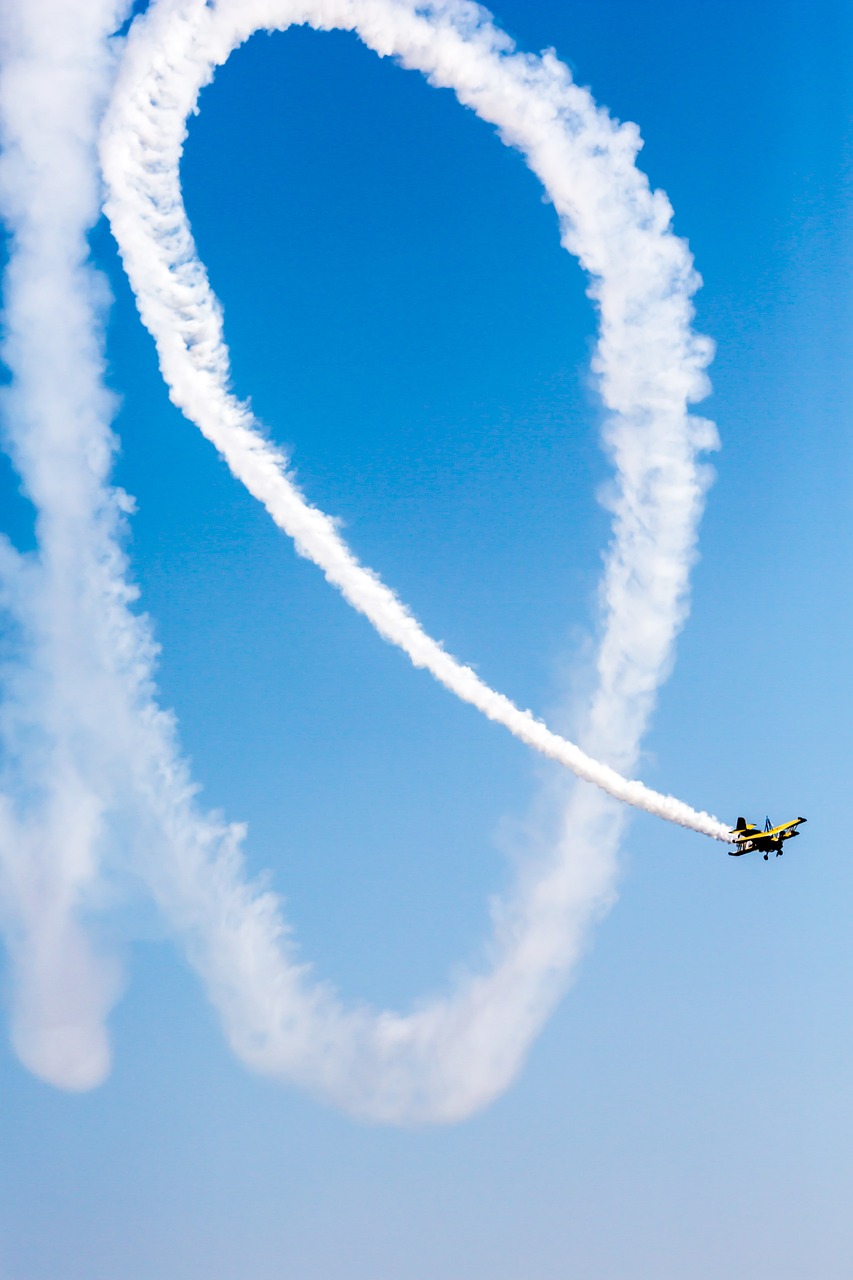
(403, 317)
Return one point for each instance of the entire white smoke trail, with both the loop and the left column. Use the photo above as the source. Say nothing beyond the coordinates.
(93, 781)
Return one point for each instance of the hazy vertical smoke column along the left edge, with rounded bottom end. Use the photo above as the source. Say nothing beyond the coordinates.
(56, 79)
